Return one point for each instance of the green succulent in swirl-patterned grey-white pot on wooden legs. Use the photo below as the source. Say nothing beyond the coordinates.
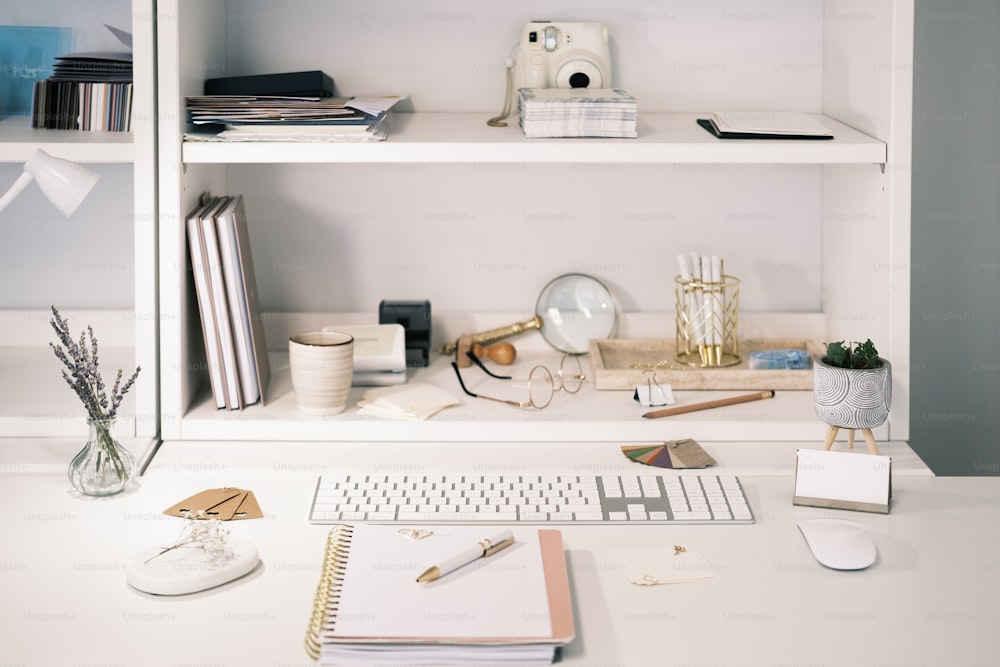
(852, 388)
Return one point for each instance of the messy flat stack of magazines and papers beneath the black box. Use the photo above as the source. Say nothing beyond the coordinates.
(286, 118)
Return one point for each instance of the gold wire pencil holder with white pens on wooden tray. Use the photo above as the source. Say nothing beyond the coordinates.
(707, 315)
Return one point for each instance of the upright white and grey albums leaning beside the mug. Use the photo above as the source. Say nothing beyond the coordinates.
(235, 347)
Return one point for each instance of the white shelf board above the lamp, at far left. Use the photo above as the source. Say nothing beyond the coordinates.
(18, 141)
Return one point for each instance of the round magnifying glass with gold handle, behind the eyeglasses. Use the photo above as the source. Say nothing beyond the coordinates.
(572, 309)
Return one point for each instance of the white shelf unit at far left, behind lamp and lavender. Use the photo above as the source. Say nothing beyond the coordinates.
(40, 418)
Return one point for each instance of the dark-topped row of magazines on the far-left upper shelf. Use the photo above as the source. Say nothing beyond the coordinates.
(87, 91)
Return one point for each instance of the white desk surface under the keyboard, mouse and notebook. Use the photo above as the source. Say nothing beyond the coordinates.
(930, 598)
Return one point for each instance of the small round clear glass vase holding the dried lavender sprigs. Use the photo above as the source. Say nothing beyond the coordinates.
(103, 467)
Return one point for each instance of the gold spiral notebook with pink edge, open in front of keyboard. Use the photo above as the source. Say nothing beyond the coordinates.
(513, 607)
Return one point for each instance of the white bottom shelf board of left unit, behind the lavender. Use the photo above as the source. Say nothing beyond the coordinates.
(35, 401)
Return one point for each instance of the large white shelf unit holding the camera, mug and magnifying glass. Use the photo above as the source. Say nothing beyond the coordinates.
(446, 183)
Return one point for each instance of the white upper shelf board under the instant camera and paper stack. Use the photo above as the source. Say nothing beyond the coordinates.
(465, 137)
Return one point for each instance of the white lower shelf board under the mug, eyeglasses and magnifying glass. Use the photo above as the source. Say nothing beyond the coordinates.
(590, 415)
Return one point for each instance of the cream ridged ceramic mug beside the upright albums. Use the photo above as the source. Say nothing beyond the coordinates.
(321, 364)
